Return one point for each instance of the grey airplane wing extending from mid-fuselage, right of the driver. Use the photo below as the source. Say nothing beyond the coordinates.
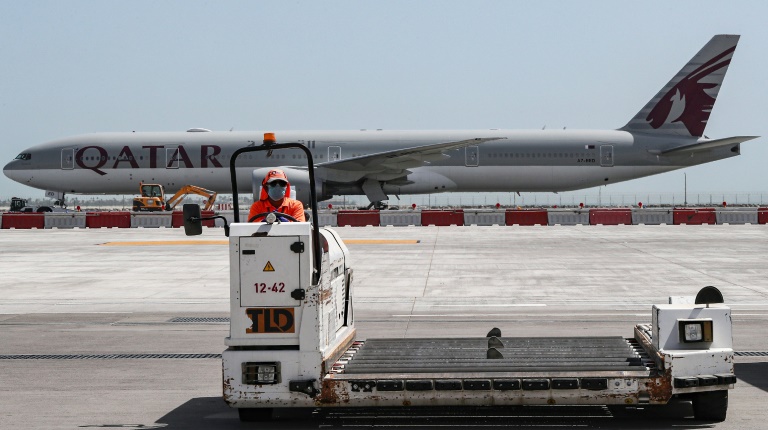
(389, 165)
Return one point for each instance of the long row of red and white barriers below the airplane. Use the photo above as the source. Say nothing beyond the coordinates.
(444, 217)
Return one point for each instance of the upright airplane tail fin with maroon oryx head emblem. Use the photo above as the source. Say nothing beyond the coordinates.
(683, 106)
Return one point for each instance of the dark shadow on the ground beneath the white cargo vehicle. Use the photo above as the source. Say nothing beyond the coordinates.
(212, 413)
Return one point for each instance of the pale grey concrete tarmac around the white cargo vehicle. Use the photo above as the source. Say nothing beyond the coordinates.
(132, 320)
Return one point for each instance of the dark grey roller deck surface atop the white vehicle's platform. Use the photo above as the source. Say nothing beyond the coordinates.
(523, 356)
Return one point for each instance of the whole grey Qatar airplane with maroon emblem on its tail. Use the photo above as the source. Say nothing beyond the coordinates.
(665, 135)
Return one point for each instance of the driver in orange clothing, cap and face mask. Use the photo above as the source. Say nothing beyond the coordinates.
(276, 197)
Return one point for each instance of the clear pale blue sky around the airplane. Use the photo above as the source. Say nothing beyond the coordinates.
(79, 67)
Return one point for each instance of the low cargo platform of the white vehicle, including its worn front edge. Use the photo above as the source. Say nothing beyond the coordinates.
(490, 370)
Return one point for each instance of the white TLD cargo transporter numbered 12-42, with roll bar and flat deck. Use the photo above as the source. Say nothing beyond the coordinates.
(292, 343)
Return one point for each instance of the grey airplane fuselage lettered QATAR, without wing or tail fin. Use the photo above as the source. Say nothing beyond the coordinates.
(521, 160)
